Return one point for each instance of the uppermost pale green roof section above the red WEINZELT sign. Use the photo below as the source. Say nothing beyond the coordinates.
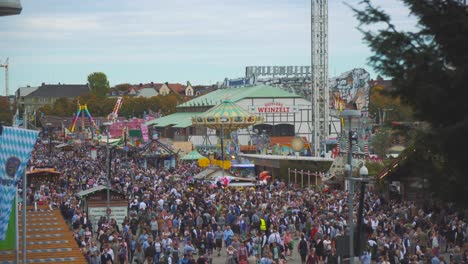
(237, 94)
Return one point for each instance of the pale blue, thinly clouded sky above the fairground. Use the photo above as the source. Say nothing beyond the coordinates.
(201, 41)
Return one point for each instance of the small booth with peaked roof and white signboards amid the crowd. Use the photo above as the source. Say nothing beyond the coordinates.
(95, 204)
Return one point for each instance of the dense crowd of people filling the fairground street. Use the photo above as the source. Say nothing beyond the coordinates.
(174, 218)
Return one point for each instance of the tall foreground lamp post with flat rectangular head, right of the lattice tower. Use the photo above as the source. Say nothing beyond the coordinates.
(349, 115)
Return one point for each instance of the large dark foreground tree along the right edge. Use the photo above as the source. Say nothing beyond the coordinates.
(429, 69)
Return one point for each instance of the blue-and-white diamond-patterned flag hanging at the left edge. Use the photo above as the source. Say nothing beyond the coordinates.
(15, 149)
